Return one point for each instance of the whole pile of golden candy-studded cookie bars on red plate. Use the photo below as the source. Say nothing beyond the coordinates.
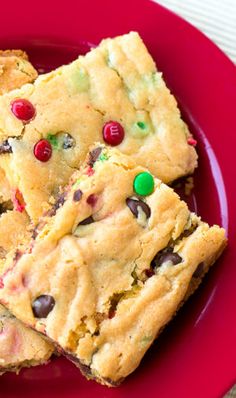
(88, 227)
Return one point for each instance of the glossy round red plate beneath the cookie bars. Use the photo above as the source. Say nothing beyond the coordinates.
(196, 355)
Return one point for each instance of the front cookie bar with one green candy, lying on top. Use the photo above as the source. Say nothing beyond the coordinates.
(109, 265)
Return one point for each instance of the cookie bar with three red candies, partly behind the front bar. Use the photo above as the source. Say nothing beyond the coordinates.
(115, 94)
